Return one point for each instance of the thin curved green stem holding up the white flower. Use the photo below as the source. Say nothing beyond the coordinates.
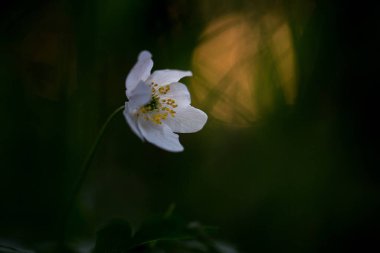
(86, 165)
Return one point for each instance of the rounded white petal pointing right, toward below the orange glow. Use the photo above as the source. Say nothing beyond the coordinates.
(187, 120)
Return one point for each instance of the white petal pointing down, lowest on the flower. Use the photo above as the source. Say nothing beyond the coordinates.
(159, 135)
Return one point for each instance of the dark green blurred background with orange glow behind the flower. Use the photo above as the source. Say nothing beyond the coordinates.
(286, 162)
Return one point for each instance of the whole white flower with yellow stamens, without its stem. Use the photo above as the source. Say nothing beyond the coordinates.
(158, 105)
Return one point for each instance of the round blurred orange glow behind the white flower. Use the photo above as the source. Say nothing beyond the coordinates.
(234, 66)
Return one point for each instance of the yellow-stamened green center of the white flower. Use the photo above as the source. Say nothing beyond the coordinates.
(158, 108)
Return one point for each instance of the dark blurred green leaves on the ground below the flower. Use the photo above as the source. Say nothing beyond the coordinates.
(117, 235)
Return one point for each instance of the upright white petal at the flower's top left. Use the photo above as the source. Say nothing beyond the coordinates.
(139, 72)
